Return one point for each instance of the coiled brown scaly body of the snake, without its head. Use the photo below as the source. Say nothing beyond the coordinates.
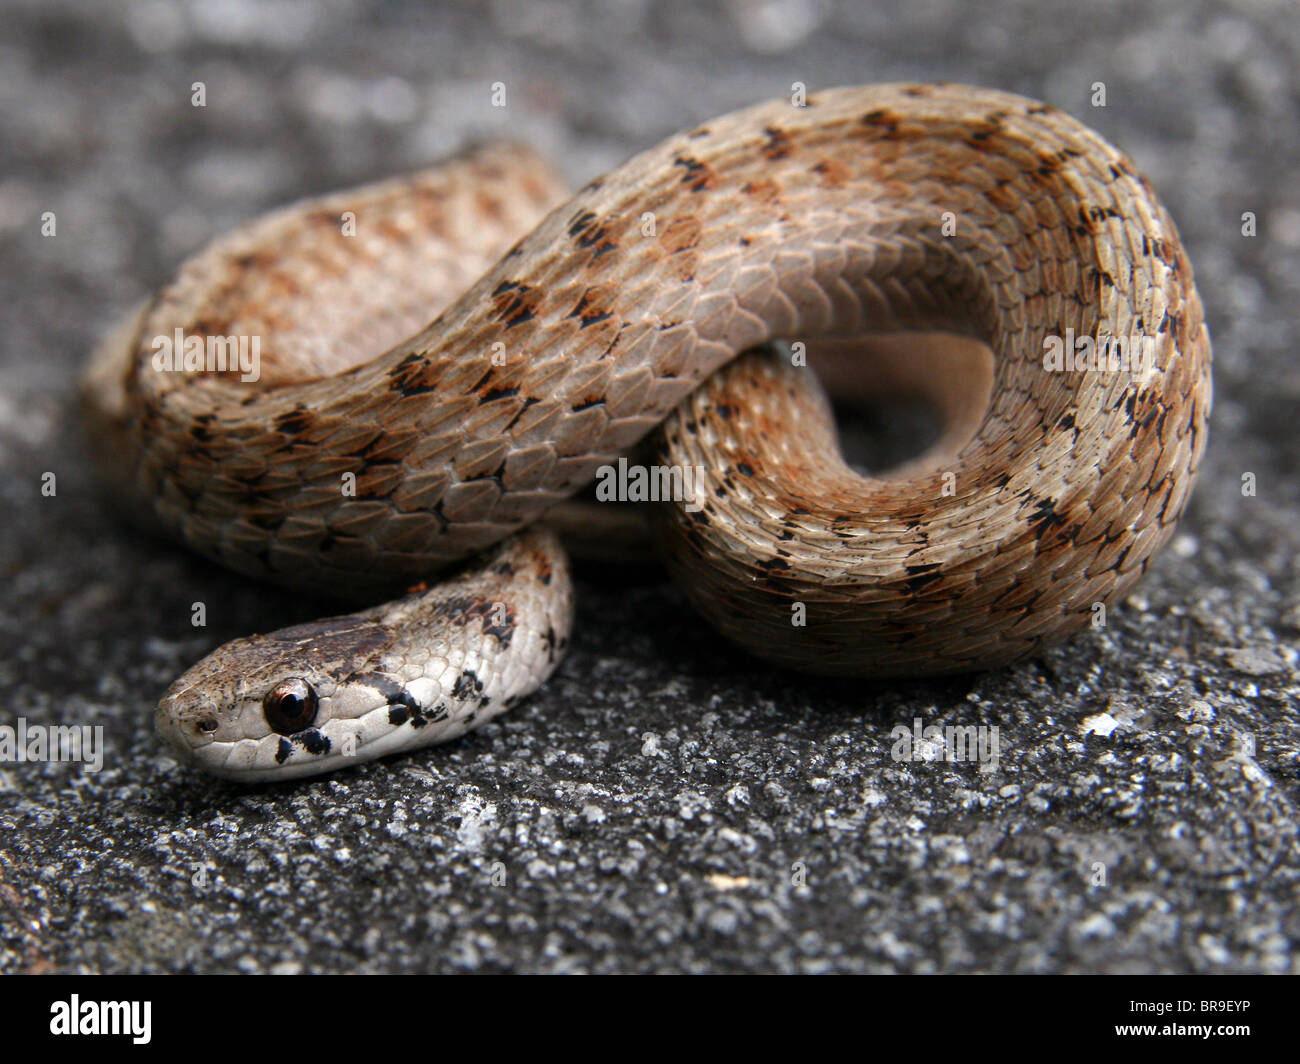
(778, 222)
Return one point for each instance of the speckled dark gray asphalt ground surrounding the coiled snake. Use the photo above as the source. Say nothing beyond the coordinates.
(665, 805)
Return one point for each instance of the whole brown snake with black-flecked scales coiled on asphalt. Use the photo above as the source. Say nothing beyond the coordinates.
(448, 360)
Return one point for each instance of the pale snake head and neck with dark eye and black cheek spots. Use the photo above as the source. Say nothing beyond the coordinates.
(419, 671)
